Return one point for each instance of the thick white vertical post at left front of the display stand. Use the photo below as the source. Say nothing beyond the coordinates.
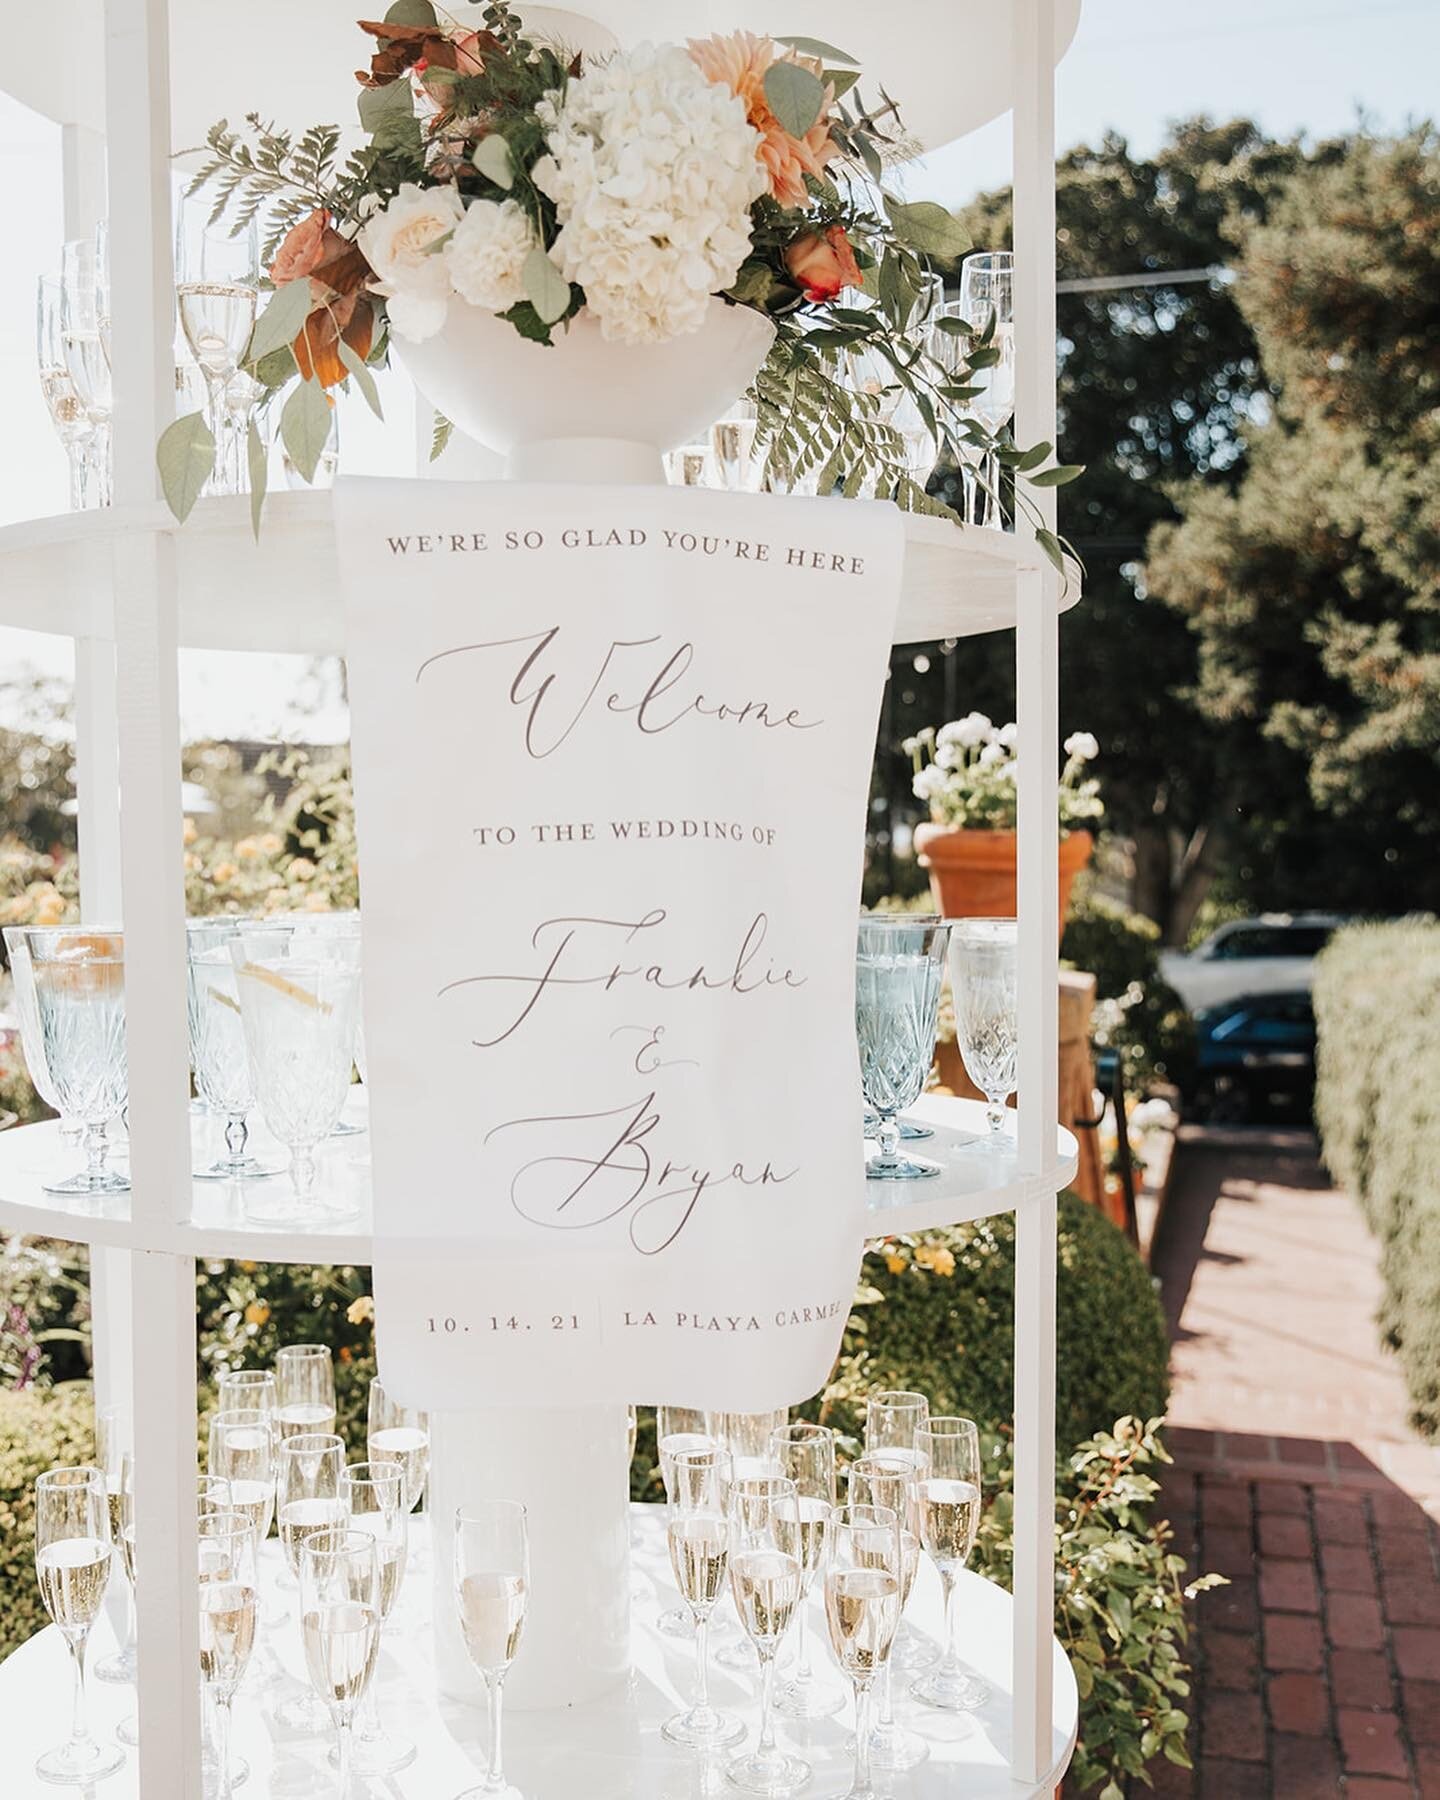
(143, 327)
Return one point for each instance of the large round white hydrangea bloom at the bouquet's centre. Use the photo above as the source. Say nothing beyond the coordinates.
(652, 170)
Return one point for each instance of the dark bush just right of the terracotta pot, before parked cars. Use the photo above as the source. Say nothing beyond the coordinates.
(1137, 1011)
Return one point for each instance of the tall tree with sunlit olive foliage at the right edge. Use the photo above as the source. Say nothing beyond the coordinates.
(1313, 588)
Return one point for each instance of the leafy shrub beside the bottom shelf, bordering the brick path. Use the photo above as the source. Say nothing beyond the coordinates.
(1119, 1601)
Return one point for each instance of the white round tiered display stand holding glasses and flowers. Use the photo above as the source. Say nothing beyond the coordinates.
(132, 589)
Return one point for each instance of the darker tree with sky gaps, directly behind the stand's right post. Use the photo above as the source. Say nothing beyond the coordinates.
(1156, 386)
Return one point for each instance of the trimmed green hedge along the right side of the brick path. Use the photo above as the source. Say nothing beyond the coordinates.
(1378, 1108)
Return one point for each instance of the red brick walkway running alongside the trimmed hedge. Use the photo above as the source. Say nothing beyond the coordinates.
(1318, 1668)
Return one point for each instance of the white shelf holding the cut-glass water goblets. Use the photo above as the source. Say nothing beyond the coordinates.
(976, 1182)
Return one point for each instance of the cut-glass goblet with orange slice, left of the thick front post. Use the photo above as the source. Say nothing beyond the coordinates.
(80, 1002)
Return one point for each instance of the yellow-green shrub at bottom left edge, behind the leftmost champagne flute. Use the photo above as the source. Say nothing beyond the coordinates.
(40, 1430)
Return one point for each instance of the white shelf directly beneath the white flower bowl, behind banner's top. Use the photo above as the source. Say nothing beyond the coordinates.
(285, 591)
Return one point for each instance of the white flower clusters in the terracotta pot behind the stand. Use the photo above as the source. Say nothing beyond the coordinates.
(966, 773)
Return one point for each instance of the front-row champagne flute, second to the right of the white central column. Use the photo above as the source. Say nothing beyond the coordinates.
(768, 1583)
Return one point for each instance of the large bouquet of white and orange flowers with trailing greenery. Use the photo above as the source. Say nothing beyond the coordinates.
(507, 174)
